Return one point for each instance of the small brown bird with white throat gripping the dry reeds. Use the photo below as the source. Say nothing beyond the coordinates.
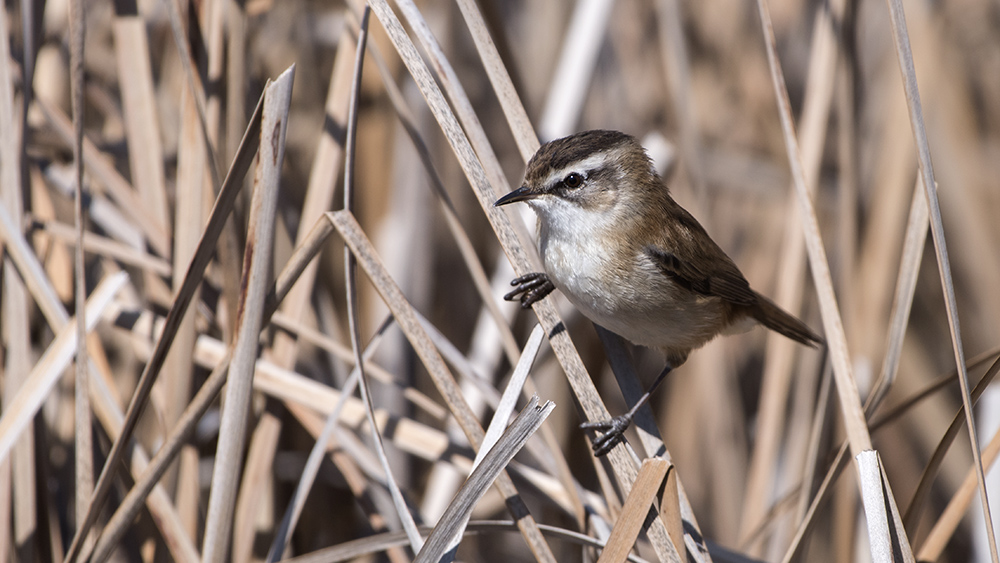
(631, 259)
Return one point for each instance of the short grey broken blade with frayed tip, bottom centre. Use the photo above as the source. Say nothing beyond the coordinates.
(443, 541)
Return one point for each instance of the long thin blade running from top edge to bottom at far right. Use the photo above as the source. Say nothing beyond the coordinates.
(905, 57)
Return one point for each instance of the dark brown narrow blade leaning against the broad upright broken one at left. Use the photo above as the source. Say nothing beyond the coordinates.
(192, 278)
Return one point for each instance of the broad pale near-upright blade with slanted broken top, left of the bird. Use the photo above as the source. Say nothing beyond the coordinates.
(257, 265)
